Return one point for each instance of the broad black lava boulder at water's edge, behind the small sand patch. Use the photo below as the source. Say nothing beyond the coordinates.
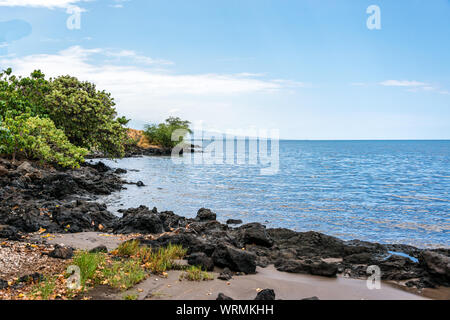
(139, 220)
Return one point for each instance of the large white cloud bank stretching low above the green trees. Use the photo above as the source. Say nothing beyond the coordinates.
(145, 91)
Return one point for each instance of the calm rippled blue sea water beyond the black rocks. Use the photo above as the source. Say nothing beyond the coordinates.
(385, 191)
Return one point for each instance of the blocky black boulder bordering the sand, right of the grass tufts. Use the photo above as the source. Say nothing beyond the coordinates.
(235, 259)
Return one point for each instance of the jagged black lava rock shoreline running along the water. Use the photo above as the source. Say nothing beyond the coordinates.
(36, 198)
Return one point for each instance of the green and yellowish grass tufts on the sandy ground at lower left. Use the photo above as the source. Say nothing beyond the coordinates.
(121, 269)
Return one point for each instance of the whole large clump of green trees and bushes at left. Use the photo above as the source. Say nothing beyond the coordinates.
(57, 120)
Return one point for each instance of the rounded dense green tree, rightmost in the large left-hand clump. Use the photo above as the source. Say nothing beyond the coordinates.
(86, 115)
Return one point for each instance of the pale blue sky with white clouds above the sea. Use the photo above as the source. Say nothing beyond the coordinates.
(310, 69)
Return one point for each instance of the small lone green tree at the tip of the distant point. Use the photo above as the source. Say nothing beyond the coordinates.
(169, 133)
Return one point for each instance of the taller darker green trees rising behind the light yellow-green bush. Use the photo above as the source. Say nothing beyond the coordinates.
(86, 115)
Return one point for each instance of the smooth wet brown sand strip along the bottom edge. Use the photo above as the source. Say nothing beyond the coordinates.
(287, 287)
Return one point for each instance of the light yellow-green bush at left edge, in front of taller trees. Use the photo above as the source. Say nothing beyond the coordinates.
(39, 139)
